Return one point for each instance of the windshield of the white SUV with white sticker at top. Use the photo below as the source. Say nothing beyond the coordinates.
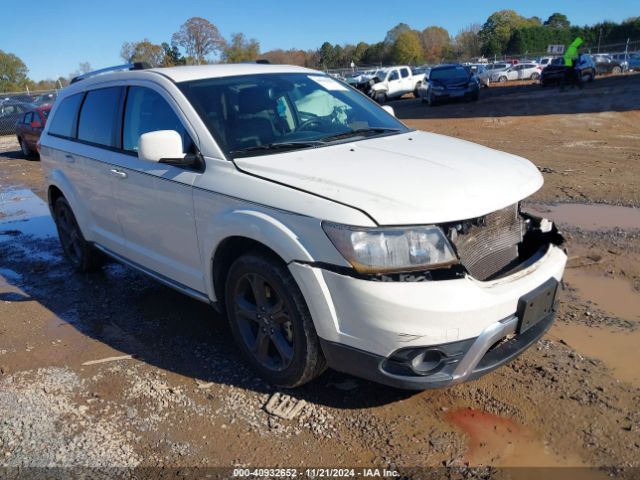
(255, 114)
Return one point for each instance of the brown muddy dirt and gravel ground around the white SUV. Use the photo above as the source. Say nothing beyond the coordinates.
(184, 398)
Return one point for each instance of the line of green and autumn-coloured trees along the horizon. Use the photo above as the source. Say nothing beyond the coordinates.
(199, 41)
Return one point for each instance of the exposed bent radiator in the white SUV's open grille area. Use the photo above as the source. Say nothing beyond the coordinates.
(490, 244)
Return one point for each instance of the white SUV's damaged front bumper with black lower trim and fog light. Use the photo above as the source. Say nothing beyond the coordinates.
(433, 333)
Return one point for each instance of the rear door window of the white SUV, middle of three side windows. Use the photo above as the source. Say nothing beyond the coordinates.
(97, 123)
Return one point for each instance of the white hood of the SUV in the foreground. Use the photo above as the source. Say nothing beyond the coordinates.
(411, 178)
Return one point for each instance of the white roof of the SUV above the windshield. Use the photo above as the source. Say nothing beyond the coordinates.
(198, 72)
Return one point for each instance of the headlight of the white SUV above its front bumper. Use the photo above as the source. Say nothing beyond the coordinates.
(393, 249)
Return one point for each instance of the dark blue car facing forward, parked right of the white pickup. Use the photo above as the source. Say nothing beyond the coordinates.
(450, 82)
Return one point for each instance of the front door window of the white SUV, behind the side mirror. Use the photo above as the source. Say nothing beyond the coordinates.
(146, 111)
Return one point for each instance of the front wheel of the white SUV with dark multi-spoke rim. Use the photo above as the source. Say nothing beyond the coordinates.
(270, 321)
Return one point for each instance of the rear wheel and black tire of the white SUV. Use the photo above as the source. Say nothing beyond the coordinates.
(80, 253)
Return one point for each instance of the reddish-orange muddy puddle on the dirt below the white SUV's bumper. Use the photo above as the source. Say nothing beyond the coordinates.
(500, 442)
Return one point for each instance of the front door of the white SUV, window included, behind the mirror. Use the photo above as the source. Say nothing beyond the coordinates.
(154, 200)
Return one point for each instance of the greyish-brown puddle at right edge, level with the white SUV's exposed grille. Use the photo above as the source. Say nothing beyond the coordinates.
(589, 217)
